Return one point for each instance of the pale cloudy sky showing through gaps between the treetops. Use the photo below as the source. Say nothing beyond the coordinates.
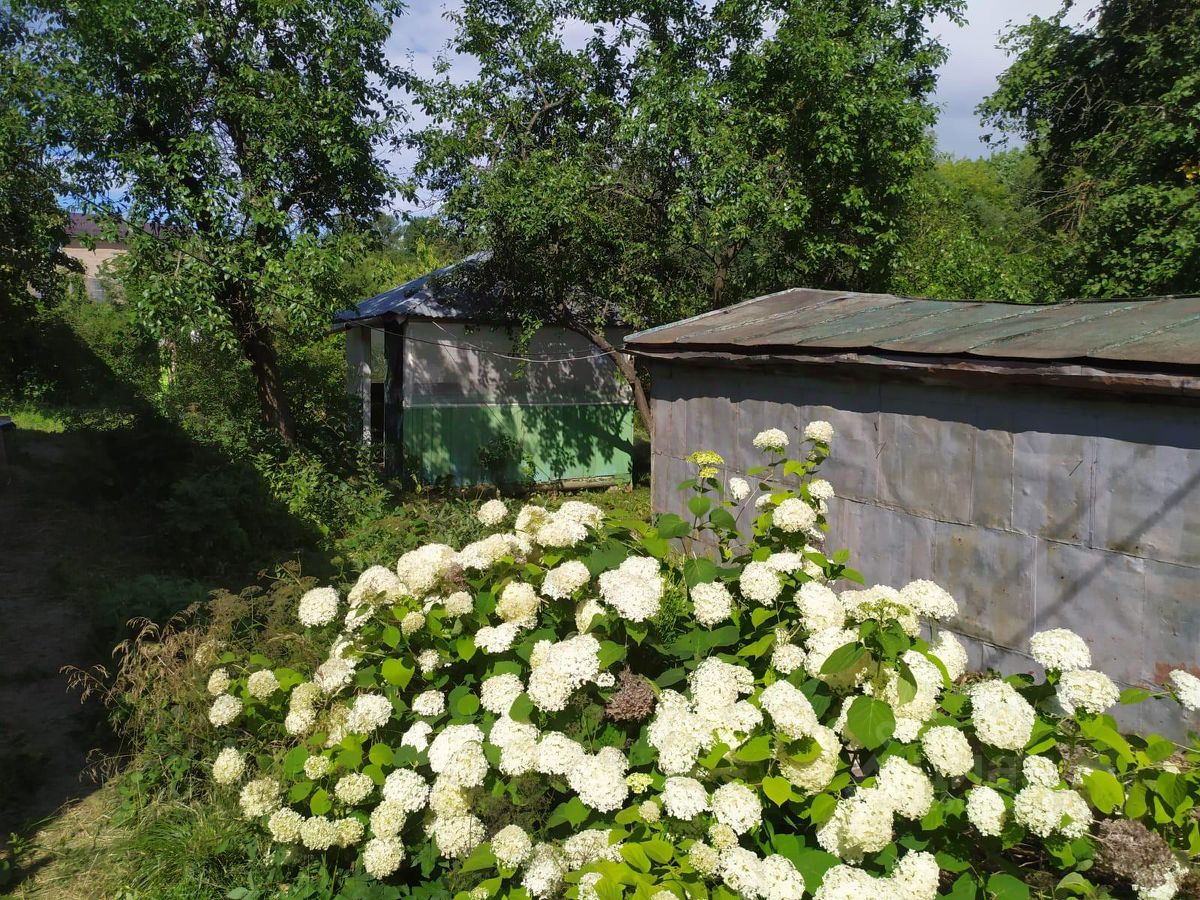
(968, 77)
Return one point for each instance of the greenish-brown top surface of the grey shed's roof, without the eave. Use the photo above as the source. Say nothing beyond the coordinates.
(1144, 334)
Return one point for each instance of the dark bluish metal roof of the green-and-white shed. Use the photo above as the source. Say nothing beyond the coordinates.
(435, 296)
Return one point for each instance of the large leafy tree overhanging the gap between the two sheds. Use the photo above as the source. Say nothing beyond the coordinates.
(682, 155)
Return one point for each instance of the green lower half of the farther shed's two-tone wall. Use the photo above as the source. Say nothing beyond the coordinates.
(469, 445)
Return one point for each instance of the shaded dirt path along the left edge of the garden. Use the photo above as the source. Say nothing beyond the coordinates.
(49, 545)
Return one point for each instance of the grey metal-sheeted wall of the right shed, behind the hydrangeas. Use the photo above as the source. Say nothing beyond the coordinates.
(1036, 507)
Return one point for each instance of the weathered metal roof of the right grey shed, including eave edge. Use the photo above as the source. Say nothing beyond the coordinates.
(1153, 344)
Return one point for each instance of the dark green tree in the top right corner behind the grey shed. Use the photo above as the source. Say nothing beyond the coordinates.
(1112, 113)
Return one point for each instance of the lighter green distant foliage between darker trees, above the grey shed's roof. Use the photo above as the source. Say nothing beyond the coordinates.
(973, 230)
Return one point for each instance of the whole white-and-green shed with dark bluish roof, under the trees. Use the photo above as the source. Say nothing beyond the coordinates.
(449, 391)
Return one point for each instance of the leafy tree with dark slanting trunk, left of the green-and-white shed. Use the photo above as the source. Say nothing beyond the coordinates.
(241, 145)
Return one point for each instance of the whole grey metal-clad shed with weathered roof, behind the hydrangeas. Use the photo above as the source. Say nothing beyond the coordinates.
(1042, 463)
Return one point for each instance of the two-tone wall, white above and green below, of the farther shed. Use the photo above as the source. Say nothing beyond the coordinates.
(572, 418)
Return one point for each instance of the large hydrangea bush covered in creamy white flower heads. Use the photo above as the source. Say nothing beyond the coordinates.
(700, 707)
